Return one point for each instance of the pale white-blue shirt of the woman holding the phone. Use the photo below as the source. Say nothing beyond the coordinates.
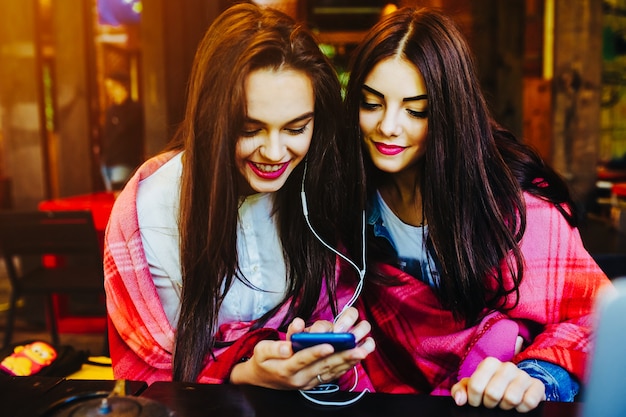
(261, 258)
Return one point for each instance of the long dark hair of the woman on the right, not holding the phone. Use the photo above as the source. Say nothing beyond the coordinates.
(473, 173)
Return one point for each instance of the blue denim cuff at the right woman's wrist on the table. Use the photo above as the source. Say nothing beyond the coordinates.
(560, 386)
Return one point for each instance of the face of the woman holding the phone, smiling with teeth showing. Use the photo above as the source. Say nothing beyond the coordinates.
(278, 127)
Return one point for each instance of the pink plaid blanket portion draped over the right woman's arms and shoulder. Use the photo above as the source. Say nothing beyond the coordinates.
(422, 349)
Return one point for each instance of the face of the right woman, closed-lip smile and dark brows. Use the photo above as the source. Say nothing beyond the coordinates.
(393, 115)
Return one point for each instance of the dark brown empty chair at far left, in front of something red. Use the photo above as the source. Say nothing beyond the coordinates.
(26, 237)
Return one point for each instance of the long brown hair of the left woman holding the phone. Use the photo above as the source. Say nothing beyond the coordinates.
(245, 38)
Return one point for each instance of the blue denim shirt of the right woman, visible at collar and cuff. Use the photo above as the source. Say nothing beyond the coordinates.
(559, 384)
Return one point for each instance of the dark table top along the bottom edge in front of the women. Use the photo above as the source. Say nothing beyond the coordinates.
(41, 396)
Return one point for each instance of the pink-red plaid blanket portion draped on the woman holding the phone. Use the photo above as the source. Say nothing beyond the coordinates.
(141, 339)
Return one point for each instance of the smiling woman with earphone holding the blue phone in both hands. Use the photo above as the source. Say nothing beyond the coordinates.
(208, 255)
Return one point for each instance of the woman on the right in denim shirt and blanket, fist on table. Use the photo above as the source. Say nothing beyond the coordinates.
(479, 286)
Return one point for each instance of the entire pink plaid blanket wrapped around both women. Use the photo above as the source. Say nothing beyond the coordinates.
(420, 347)
